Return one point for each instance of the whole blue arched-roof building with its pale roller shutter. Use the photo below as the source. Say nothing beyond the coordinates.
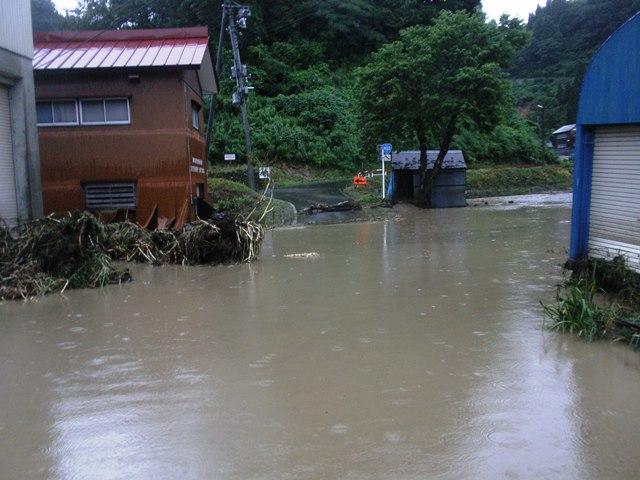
(606, 191)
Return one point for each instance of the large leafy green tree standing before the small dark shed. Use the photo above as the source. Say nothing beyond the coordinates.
(432, 81)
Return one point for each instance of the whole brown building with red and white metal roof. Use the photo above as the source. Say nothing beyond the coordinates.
(121, 125)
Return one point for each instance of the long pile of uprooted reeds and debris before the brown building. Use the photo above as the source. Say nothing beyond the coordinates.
(77, 251)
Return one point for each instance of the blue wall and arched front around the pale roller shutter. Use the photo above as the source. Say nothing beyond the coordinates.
(610, 96)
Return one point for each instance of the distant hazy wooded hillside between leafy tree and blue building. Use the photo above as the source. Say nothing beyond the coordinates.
(564, 36)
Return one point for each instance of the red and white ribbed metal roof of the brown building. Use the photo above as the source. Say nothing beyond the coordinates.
(163, 47)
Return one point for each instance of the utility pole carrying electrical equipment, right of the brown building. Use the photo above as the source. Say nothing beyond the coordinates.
(237, 16)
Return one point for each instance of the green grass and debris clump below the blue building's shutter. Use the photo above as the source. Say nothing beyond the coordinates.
(601, 300)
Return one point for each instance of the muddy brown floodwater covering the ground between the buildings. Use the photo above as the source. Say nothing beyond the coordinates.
(406, 349)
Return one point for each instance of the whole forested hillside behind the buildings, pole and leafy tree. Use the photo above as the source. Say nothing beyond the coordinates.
(303, 55)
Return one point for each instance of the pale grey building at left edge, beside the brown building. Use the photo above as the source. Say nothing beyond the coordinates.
(20, 194)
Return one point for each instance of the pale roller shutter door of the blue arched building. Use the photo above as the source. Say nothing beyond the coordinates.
(614, 218)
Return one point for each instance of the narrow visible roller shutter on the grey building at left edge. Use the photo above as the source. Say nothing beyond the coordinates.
(8, 204)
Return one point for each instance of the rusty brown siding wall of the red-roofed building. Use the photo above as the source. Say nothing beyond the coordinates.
(155, 150)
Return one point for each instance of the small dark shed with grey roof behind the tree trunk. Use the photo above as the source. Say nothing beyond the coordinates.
(450, 186)
